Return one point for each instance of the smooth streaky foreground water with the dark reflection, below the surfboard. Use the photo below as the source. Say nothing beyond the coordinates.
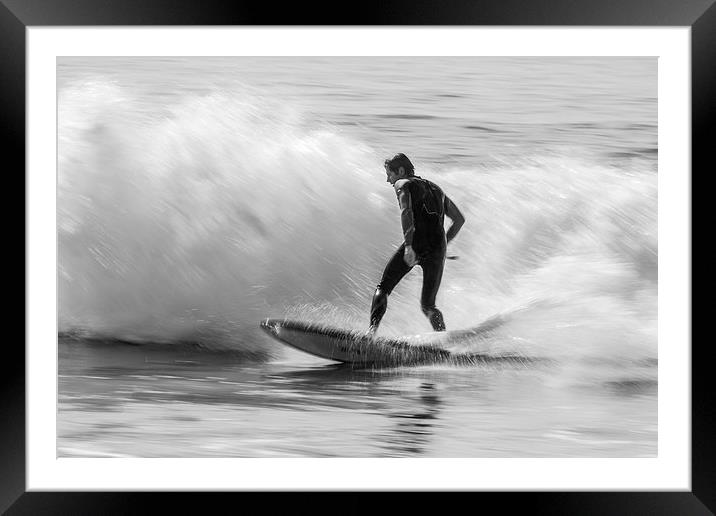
(131, 401)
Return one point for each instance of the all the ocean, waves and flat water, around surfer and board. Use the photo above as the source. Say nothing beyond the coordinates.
(198, 196)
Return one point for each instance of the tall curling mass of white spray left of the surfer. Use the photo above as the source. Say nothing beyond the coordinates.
(199, 224)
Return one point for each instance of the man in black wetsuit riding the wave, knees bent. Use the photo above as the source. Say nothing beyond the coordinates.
(423, 207)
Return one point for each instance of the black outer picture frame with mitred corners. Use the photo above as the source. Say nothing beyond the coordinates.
(17, 15)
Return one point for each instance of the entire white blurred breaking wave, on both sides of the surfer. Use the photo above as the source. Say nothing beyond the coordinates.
(197, 220)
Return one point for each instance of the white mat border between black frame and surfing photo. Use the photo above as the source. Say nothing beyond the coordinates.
(669, 471)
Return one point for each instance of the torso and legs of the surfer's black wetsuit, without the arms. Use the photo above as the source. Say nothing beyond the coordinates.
(429, 243)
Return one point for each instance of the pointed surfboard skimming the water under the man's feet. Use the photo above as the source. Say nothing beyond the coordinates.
(356, 348)
